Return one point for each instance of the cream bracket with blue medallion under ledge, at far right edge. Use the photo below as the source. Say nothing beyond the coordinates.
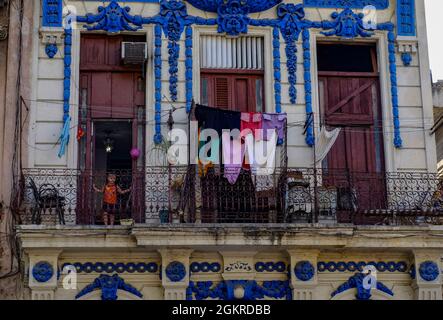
(428, 280)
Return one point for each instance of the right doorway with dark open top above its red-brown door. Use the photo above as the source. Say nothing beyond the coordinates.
(349, 91)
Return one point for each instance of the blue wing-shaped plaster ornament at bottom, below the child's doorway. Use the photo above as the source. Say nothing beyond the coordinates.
(109, 286)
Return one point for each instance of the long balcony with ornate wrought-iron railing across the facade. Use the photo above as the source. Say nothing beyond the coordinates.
(183, 195)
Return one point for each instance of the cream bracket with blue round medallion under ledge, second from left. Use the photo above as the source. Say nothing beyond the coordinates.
(175, 272)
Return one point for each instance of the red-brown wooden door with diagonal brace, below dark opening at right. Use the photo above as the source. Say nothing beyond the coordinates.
(355, 164)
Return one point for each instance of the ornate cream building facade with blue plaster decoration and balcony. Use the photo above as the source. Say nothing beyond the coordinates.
(109, 81)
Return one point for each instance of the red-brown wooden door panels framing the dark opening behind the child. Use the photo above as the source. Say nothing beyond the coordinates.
(109, 91)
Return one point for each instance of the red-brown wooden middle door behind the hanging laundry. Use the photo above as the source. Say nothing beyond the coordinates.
(237, 90)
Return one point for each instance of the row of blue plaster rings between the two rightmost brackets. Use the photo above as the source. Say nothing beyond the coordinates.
(352, 266)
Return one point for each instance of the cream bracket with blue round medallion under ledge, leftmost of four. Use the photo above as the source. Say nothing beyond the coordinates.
(43, 273)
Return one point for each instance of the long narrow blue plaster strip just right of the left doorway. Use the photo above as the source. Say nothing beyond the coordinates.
(158, 138)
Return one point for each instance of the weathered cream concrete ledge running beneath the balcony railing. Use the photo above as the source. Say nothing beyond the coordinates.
(211, 236)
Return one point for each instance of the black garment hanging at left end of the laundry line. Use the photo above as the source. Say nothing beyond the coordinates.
(217, 119)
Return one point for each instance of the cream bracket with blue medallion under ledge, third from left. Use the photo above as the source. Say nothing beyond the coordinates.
(303, 273)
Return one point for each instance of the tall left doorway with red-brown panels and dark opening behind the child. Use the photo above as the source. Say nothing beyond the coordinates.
(112, 109)
